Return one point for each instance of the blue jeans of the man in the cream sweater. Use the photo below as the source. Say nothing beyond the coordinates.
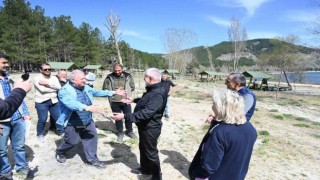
(42, 111)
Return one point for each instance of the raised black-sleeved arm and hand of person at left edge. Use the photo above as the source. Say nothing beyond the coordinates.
(9, 105)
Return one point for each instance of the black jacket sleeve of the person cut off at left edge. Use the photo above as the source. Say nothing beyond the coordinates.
(11, 104)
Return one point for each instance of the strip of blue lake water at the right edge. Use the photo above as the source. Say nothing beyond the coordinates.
(305, 78)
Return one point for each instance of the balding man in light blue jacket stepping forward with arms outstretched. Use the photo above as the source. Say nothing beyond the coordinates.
(76, 116)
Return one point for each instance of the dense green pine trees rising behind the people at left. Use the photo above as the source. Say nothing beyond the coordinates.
(31, 38)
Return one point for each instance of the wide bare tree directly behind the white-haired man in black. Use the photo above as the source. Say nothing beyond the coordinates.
(177, 43)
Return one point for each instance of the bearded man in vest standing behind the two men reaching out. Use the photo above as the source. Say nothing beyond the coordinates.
(120, 80)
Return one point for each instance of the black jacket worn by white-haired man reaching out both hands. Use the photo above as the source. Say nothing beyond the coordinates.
(149, 109)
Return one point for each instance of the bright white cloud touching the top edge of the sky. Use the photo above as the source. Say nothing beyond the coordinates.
(250, 5)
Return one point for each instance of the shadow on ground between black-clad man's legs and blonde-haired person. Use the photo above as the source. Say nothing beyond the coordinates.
(178, 161)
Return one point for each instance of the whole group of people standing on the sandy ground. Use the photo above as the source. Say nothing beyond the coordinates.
(224, 152)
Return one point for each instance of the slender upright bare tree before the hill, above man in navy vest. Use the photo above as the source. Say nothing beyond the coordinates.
(237, 37)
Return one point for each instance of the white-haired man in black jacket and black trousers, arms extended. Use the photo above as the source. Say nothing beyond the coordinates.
(147, 116)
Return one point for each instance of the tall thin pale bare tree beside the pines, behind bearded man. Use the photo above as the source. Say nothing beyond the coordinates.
(113, 22)
